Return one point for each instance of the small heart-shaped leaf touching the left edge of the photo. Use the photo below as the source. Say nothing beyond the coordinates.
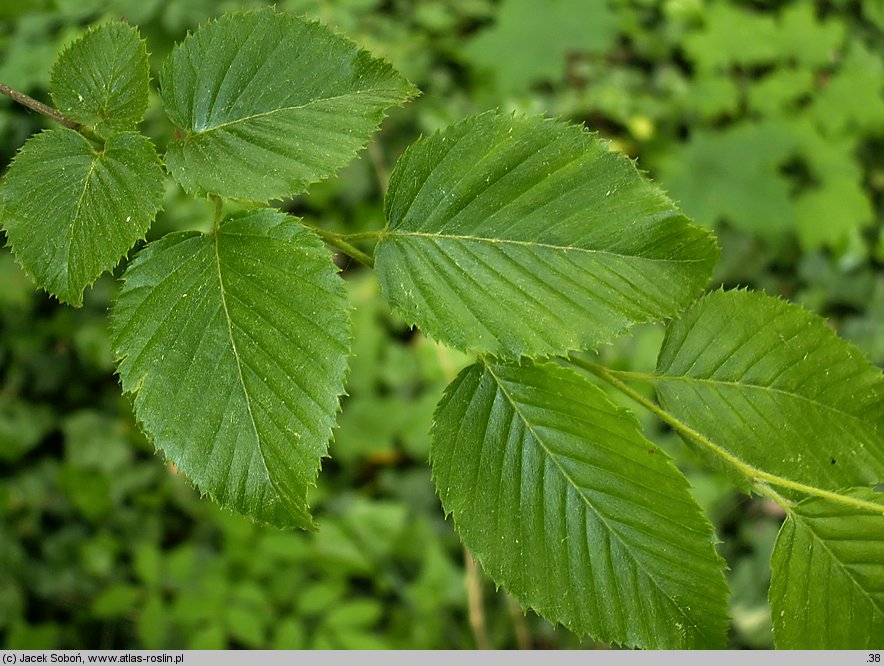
(71, 211)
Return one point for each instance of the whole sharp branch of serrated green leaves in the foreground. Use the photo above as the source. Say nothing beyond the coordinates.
(524, 241)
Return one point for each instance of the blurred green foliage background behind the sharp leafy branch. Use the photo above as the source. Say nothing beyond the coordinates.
(763, 118)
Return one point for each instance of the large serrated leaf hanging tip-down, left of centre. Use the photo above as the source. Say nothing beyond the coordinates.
(235, 346)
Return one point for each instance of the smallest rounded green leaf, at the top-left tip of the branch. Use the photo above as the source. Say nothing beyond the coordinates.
(102, 79)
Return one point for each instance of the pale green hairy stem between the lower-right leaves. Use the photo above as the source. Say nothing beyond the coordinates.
(758, 477)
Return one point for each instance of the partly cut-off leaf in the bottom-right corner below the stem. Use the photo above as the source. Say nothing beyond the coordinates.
(827, 575)
